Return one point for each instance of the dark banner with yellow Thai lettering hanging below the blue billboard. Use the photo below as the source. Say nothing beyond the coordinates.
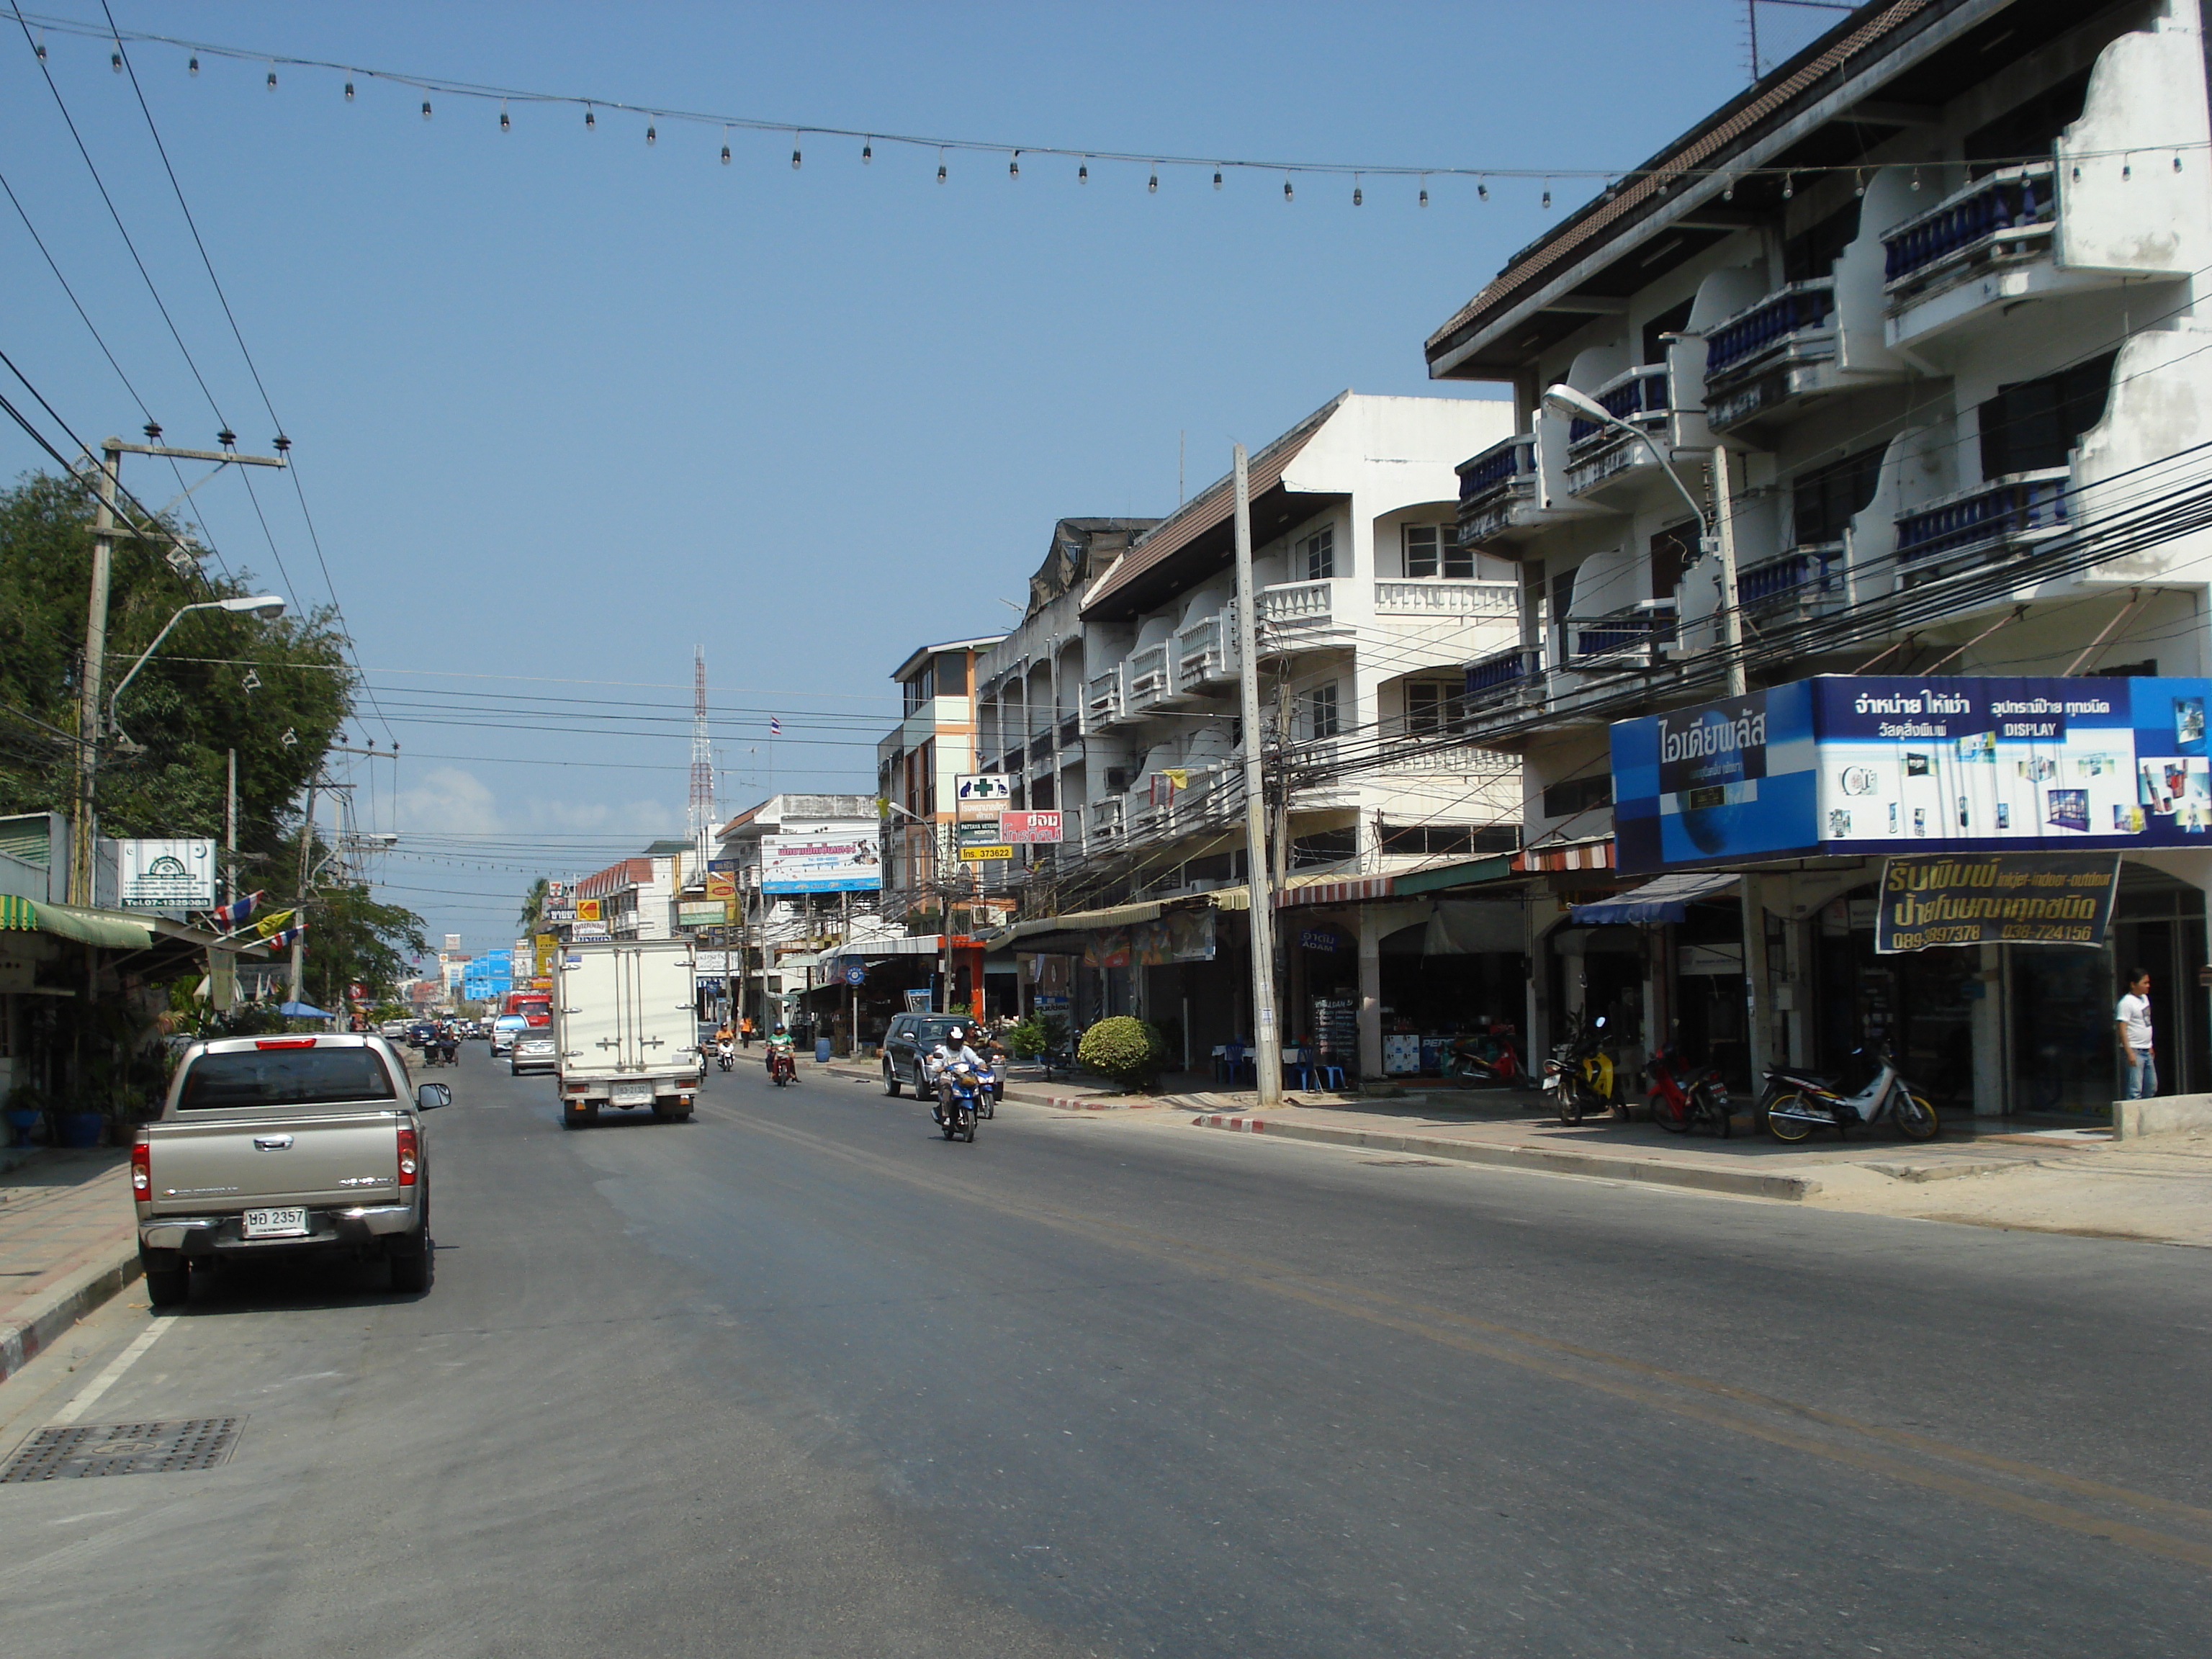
(1996, 899)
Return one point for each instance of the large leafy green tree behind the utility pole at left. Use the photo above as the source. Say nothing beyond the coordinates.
(275, 691)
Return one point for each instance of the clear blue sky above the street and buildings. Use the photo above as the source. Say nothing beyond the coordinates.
(567, 404)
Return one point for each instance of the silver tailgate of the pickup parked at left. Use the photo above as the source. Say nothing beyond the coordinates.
(236, 1162)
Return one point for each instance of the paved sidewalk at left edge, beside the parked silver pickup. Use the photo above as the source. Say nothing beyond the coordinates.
(67, 1244)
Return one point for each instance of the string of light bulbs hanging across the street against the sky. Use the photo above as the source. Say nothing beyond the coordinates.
(1220, 167)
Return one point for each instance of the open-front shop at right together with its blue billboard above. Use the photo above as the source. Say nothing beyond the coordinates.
(1811, 806)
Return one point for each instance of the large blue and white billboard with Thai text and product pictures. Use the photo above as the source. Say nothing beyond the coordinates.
(1879, 764)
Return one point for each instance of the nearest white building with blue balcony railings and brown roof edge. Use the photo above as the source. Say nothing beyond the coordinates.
(1937, 286)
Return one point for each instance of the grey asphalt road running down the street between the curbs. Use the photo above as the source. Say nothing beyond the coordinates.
(804, 1379)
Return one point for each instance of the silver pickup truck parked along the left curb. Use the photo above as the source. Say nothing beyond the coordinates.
(286, 1145)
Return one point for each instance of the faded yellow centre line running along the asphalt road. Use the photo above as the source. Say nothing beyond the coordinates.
(1638, 1381)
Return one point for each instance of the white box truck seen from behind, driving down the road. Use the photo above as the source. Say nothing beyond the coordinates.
(627, 1032)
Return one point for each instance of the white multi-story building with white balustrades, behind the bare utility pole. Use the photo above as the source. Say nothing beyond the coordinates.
(1116, 702)
